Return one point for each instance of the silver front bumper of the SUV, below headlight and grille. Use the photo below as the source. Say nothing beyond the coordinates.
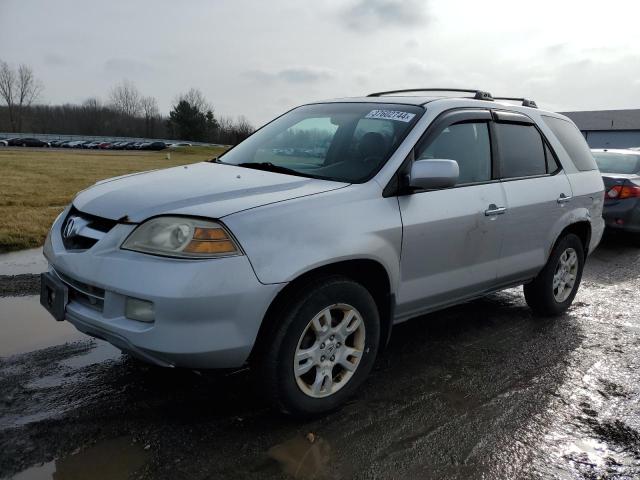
(207, 312)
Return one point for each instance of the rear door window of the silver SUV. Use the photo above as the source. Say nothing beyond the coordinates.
(522, 151)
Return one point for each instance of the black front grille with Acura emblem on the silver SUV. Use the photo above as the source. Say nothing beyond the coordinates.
(85, 231)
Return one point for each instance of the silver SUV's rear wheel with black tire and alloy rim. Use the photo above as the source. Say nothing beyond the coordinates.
(555, 287)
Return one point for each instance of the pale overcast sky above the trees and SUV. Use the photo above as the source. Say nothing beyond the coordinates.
(259, 58)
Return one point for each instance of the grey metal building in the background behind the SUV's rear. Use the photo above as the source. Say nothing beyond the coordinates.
(609, 128)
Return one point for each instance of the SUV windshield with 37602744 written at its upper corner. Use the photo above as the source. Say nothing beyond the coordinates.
(346, 142)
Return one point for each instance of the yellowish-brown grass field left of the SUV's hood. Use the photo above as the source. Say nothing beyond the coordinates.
(36, 184)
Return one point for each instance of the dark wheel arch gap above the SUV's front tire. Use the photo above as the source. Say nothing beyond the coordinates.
(369, 273)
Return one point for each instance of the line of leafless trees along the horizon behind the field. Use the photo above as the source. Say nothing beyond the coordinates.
(125, 113)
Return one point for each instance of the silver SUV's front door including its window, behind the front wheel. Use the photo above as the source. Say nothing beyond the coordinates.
(451, 242)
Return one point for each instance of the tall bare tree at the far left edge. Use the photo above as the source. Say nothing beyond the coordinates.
(19, 90)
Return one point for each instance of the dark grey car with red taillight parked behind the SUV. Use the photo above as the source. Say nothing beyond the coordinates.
(621, 175)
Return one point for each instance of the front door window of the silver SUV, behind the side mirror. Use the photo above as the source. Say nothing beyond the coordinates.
(466, 143)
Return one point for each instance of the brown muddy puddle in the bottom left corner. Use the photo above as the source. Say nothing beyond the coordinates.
(113, 459)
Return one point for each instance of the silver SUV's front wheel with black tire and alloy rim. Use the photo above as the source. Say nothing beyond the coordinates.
(322, 347)
